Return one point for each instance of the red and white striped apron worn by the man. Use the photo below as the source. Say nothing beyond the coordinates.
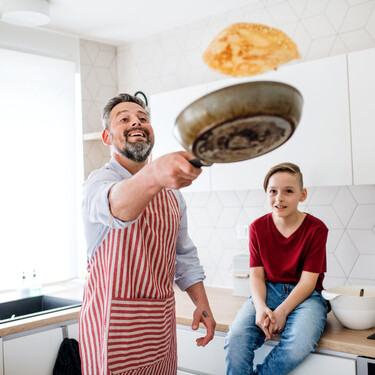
(127, 320)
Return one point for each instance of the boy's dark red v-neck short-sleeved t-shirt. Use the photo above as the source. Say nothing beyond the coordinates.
(284, 259)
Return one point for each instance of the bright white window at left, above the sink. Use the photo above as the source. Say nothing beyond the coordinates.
(41, 164)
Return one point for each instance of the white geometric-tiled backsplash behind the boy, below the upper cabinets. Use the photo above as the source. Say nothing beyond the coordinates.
(348, 212)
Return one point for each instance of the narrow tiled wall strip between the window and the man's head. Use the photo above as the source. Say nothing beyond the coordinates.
(99, 83)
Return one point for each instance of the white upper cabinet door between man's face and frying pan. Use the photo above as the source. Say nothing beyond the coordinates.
(165, 108)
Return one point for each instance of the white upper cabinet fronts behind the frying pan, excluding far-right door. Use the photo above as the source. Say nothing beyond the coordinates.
(321, 145)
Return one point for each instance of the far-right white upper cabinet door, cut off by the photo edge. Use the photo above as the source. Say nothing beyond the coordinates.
(362, 93)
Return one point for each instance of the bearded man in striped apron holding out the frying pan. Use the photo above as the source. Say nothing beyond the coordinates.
(136, 231)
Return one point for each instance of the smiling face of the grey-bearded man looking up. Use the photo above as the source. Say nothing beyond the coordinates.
(130, 131)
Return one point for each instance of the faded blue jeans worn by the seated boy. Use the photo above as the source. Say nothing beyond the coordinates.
(302, 331)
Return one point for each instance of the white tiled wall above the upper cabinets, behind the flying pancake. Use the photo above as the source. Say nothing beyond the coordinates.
(173, 59)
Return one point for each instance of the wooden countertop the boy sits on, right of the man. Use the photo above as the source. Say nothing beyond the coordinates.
(225, 306)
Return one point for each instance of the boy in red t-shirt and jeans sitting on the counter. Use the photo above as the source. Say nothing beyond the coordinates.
(287, 265)
